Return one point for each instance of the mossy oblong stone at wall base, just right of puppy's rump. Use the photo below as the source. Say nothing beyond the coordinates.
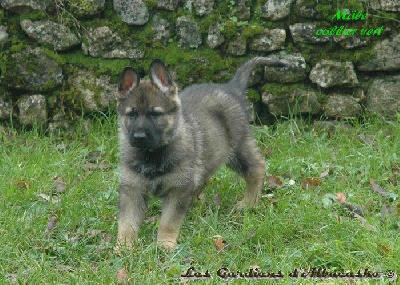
(297, 102)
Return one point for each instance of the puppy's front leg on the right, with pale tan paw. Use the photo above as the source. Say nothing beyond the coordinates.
(175, 207)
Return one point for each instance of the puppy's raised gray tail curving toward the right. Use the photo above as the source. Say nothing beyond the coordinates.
(242, 75)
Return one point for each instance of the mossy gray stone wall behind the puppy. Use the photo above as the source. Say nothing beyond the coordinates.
(60, 59)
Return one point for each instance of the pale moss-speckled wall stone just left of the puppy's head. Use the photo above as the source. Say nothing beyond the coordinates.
(96, 93)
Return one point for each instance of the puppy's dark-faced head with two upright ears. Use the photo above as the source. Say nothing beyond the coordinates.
(148, 110)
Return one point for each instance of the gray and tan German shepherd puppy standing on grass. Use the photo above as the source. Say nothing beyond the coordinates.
(171, 143)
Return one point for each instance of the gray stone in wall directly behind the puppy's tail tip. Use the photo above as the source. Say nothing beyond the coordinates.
(294, 71)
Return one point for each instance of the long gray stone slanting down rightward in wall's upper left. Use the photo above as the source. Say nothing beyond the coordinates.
(58, 36)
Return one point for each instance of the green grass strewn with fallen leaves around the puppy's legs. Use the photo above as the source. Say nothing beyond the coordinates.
(59, 204)
